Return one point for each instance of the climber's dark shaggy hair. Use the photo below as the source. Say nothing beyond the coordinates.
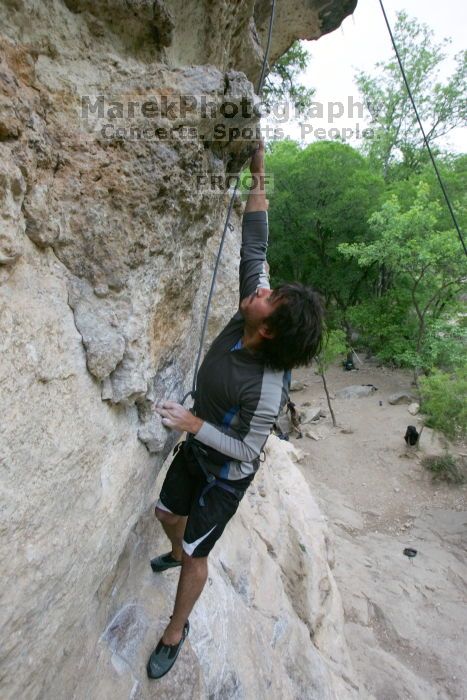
(297, 324)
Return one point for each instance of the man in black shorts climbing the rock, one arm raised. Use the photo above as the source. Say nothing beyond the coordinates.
(242, 384)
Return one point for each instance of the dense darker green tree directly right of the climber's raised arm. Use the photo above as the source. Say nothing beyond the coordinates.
(322, 197)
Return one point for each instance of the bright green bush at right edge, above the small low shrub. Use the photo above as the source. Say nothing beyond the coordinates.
(443, 400)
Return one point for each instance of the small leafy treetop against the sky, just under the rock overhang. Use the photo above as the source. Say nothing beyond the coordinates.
(283, 82)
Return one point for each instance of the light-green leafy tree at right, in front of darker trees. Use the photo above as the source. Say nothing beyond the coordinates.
(427, 269)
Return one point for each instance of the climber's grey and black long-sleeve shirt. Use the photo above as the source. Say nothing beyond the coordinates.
(237, 396)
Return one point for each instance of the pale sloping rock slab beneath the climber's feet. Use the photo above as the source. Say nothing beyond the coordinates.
(269, 622)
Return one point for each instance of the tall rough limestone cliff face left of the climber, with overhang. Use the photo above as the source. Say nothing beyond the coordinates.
(107, 243)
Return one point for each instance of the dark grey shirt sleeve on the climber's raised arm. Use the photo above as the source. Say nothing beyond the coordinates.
(253, 267)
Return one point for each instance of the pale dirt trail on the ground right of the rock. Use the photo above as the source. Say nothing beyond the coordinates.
(406, 620)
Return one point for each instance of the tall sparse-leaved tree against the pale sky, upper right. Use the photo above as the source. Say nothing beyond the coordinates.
(441, 104)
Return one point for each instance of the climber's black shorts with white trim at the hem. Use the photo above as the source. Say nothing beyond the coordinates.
(180, 494)
